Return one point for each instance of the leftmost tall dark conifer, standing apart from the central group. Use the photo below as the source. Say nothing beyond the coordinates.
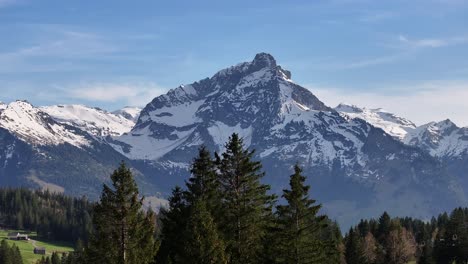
(123, 234)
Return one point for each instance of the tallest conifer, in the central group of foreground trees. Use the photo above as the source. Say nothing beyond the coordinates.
(247, 208)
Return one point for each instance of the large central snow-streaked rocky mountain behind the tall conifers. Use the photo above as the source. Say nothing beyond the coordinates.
(356, 168)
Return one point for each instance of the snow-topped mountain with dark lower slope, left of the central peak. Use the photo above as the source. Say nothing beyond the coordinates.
(61, 152)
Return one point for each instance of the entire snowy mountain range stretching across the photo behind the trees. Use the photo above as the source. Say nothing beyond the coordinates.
(359, 161)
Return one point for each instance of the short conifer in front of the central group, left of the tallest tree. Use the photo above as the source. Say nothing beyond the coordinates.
(202, 243)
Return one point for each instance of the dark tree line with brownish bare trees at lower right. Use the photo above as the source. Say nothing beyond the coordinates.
(443, 239)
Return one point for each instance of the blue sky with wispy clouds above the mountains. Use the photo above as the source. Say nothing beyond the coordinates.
(409, 57)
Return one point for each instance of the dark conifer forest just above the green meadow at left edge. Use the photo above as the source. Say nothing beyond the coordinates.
(52, 216)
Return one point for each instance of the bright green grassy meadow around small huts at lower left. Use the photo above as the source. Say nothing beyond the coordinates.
(27, 247)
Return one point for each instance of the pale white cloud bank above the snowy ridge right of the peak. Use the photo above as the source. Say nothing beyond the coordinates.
(421, 102)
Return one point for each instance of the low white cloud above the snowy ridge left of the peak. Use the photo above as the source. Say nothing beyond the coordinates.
(135, 94)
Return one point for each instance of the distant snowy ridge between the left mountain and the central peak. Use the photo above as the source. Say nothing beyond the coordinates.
(95, 121)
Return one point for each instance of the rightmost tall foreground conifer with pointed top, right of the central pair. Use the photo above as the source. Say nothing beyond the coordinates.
(299, 225)
